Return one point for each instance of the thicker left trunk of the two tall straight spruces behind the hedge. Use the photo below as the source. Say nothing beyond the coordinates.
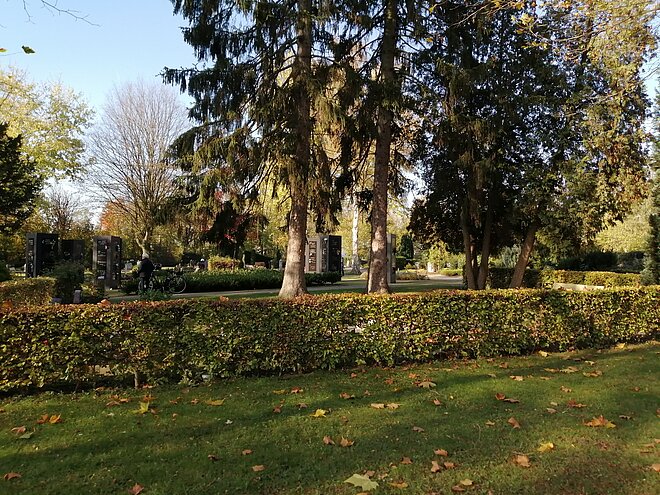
(294, 272)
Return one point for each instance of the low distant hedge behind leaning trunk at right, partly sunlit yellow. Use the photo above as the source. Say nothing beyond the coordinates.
(500, 278)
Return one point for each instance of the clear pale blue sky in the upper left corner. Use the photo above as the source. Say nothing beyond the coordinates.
(121, 40)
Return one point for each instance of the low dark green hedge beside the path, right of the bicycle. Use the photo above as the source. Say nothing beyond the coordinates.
(214, 281)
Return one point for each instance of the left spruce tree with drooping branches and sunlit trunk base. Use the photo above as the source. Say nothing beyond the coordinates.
(262, 68)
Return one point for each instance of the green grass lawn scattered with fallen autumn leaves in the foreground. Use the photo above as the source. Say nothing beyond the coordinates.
(259, 435)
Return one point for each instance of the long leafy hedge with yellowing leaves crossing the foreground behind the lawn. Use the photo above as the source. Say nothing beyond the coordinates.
(184, 339)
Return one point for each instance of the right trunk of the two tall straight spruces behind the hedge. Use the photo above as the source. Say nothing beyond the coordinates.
(378, 265)
